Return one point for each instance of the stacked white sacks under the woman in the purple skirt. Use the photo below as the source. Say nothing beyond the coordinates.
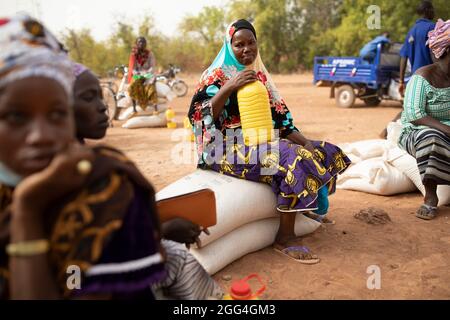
(246, 217)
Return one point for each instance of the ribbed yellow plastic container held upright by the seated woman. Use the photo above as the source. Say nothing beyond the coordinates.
(256, 116)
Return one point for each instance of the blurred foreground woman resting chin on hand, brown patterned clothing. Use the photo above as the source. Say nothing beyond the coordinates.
(64, 207)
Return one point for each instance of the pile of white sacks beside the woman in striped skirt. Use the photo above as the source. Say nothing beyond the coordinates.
(381, 167)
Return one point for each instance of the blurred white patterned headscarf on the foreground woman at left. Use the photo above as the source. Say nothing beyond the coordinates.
(28, 49)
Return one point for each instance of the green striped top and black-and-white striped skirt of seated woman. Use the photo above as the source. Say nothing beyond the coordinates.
(429, 146)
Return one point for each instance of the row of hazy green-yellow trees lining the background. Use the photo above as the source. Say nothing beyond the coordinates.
(290, 33)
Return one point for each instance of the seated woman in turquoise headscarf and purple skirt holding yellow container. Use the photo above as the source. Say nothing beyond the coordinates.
(301, 170)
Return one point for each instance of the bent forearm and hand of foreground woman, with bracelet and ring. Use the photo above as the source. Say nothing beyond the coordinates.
(32, 277)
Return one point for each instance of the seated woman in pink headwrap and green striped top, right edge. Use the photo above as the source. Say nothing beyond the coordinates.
(426, 119)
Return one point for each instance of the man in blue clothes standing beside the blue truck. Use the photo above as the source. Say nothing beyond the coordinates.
(414, 47)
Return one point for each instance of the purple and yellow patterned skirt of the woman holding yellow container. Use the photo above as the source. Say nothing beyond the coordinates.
(294, 173)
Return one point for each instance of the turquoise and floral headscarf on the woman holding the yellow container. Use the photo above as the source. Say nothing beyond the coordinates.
(226, 65)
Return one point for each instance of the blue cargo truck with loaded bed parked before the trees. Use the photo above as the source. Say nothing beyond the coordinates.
(352, 77)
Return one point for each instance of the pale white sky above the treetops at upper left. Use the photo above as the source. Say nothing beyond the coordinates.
(99, 15)
